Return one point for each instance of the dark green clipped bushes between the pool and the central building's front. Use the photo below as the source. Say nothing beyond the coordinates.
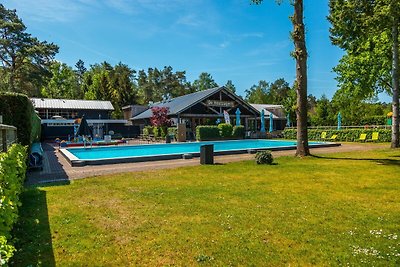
(222, 131)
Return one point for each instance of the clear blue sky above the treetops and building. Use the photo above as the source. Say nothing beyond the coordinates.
(230, 39)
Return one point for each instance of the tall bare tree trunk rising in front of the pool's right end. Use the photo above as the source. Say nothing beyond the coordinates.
(300, 55)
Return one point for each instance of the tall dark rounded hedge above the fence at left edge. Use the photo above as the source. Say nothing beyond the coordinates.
(17, 110)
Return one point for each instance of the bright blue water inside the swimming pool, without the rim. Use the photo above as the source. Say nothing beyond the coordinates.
(97, 153)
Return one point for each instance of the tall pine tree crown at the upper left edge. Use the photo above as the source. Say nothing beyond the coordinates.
(24, 58)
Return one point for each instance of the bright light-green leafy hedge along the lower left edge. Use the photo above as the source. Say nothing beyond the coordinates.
(12, 176)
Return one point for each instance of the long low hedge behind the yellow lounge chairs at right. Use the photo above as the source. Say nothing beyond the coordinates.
(349, 135)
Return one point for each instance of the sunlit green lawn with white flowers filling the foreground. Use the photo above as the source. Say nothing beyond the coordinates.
(337, 209)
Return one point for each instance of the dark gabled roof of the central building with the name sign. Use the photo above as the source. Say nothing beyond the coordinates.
(181, 103)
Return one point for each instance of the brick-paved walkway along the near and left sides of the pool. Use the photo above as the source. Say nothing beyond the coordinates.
(57, 169)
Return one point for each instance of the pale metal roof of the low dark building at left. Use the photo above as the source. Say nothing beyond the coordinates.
(71, 104)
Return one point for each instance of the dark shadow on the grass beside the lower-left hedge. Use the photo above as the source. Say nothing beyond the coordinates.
(32, 234)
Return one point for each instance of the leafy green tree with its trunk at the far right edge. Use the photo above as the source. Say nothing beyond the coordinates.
(368, 32)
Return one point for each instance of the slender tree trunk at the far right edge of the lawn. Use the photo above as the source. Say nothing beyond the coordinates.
(395, 81)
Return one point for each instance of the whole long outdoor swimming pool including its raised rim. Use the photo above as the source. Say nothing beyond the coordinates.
(136, 153)
